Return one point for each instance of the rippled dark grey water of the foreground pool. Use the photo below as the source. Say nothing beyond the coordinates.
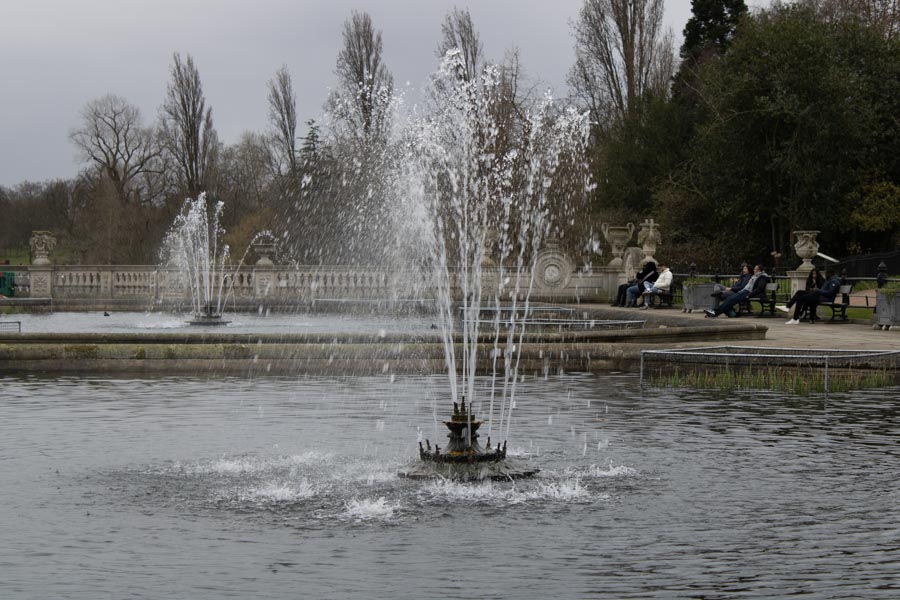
(286, 488)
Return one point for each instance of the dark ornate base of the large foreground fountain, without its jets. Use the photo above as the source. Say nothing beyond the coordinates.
(464, 459)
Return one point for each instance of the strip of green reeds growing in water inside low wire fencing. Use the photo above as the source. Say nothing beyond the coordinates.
(780, 379)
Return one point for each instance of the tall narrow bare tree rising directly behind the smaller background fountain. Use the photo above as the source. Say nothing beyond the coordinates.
(187, 128)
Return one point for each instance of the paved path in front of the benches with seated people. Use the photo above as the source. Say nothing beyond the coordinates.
(837, 336)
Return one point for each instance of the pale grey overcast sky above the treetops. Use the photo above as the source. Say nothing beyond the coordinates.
(55, 55)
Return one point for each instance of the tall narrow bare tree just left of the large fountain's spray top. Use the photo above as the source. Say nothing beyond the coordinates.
(362, 100)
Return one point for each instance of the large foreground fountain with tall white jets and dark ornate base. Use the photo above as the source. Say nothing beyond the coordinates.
(488, 205)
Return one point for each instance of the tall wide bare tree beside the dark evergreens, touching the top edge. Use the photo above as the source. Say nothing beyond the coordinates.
(621, 54)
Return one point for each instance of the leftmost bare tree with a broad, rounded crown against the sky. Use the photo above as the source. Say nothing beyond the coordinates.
(112, 137)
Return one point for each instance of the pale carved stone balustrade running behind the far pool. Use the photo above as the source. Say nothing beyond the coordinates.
(100, 285)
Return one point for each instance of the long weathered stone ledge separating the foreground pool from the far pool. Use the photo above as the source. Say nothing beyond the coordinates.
(347, 353)
